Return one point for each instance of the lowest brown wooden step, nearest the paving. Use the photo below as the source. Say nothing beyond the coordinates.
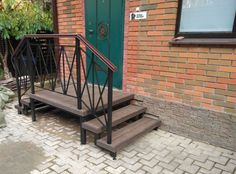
(125, 135)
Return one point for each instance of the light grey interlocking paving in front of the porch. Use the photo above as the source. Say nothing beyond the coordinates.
(57, 135)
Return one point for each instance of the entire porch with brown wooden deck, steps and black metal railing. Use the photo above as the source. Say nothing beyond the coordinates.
(61, 77)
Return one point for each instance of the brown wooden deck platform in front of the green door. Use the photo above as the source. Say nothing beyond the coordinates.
(69, 103)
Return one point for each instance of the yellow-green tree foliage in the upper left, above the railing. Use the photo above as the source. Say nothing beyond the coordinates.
(20, 17)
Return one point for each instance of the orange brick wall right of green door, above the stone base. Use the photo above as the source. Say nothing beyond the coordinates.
(201, 76)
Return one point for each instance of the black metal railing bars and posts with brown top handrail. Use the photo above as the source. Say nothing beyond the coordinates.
(111, 68)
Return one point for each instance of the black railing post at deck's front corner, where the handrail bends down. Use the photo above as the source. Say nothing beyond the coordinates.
(78, 73)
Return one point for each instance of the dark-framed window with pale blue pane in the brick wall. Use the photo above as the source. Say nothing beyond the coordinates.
(206, 18)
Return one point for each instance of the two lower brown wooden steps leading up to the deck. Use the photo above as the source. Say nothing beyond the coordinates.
(128, 123)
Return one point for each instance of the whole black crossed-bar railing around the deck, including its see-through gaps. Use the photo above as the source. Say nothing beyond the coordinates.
(68, 65)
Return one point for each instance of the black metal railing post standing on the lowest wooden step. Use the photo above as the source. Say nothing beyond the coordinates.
(109, 108)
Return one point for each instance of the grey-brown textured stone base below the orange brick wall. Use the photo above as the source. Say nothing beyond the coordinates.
(201, 124)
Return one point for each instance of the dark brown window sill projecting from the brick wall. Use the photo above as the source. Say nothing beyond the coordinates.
(205, 41)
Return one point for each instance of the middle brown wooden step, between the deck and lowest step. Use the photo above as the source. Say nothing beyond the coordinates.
(118, 116)
